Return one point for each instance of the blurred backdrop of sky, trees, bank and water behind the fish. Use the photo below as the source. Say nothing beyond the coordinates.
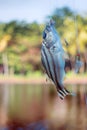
(26, 99)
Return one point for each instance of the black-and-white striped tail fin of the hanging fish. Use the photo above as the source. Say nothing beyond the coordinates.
(64, 92)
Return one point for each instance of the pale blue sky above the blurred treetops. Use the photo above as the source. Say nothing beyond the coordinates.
(36, 10)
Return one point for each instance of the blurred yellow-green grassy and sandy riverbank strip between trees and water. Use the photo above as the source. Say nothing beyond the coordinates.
(41, 79)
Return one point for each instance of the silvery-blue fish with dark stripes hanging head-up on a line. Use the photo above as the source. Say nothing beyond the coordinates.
(52, 57)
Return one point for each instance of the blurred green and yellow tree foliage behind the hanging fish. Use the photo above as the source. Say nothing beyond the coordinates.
(22, 41)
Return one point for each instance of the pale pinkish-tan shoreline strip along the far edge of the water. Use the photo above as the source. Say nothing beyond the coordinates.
(40, 80)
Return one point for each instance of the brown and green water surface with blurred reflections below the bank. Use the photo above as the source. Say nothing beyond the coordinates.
(39, 108)
